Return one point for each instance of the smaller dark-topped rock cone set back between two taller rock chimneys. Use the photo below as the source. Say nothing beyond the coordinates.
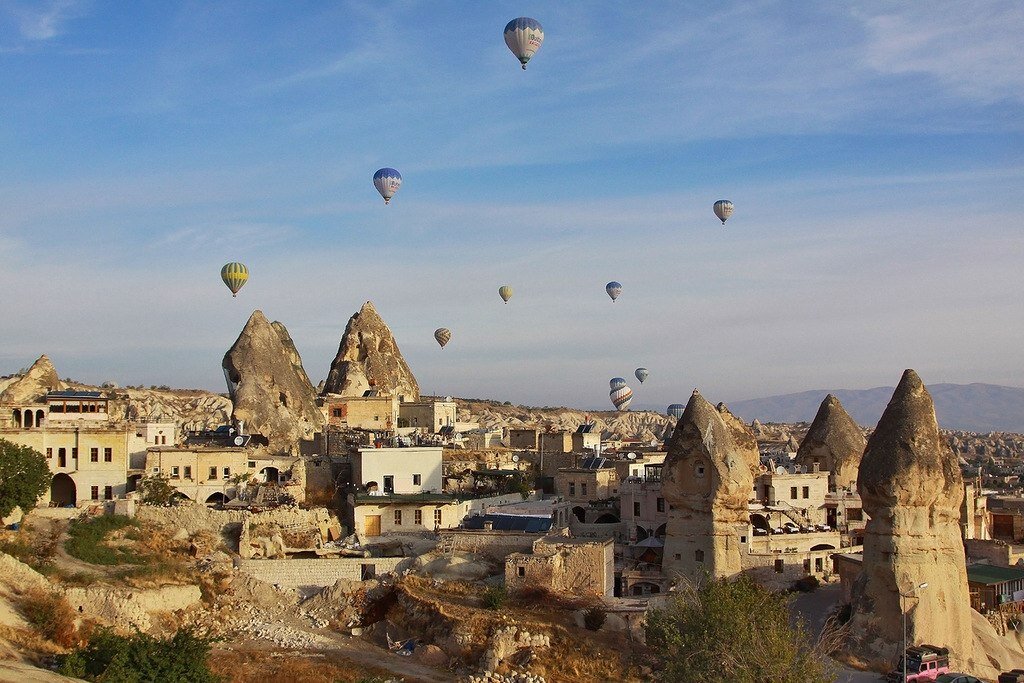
(834, 444)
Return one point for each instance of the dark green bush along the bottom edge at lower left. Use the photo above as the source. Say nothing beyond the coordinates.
(142, 659)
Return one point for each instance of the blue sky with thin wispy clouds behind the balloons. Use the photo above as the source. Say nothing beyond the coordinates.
(874, 152)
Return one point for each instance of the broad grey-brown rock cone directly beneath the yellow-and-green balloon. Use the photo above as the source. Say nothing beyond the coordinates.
(269, 387)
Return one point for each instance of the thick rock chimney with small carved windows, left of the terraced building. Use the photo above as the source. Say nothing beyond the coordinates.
(707, 482)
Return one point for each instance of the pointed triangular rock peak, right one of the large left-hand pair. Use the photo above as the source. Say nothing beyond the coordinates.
(370, 357)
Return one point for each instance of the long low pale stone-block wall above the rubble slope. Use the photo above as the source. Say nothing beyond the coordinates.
(310, 574)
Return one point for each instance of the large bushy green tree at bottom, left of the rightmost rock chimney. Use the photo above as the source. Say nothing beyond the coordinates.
(736, 631)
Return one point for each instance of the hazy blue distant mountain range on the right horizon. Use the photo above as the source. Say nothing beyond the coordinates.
(980, 408)
